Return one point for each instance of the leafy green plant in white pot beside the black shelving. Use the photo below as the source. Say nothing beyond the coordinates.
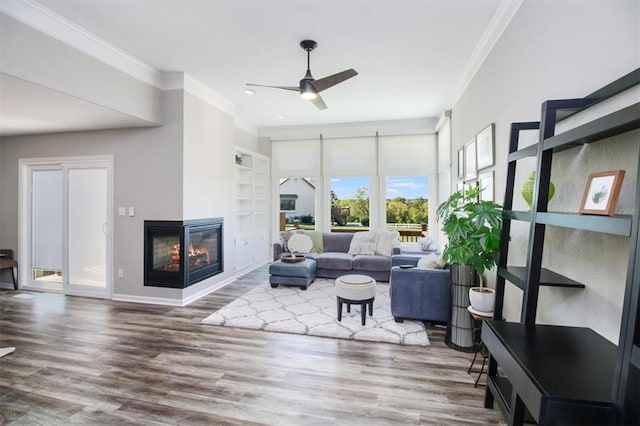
(473, 230)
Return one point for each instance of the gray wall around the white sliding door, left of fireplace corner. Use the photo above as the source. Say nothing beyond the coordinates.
(147, 175)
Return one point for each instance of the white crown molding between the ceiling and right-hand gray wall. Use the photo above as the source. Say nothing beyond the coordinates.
(501, 19)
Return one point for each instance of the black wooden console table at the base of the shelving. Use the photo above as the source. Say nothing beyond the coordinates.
(561, 375)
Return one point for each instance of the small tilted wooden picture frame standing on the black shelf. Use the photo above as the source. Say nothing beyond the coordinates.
(601, 193)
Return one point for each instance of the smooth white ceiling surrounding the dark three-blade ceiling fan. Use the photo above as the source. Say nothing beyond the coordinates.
(411, 56)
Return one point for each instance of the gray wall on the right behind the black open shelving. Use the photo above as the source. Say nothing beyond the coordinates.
(554, 50)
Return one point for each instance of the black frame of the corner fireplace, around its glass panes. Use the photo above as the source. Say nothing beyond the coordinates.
(183, 277)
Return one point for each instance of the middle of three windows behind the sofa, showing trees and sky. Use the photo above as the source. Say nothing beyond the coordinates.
(349, 203)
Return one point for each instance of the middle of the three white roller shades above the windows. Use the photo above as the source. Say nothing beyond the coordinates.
(349, 157)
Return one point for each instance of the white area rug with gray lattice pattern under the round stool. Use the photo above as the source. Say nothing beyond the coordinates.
(314, 312)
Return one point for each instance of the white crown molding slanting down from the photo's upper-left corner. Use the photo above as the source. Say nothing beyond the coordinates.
(54, 25)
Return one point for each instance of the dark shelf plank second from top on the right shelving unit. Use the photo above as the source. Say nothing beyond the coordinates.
(616, 123)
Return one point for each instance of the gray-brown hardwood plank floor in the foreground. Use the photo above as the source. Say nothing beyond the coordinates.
(92, 361)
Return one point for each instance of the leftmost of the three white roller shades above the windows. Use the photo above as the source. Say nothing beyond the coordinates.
(295, 158)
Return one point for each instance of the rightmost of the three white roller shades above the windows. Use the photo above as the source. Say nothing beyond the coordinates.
(407, 155)
